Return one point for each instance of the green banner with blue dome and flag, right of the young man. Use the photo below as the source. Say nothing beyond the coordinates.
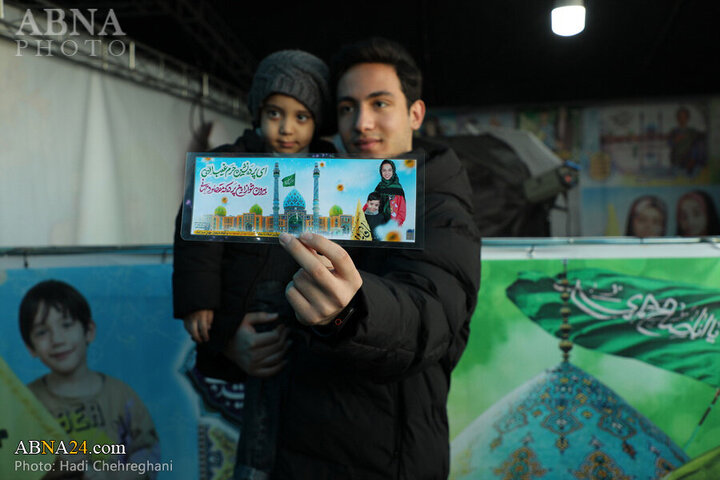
(507, 352)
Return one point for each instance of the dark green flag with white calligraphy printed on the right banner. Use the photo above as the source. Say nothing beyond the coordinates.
(670, 325)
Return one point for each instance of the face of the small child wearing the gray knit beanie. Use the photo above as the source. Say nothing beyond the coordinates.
(287, 126)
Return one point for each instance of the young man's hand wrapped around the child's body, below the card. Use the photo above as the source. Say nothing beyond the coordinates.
(258, 354)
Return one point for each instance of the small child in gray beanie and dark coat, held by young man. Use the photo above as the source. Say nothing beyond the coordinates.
(289, 102)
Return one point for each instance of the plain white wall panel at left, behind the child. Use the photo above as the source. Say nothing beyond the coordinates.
(87, 158)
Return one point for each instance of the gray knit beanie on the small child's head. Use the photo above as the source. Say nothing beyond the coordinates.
(297, 74)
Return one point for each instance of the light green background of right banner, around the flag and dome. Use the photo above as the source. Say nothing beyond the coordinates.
(506, 349)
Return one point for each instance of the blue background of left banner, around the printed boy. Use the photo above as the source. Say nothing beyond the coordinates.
(137, 341)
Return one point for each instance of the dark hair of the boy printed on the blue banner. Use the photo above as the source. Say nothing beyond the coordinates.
(52, 294)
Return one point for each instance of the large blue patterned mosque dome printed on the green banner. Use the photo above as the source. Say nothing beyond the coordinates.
(563, 424)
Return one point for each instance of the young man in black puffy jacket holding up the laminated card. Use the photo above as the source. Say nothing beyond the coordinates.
(369, 382)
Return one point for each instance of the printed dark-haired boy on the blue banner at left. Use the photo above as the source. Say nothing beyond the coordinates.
(57, 327)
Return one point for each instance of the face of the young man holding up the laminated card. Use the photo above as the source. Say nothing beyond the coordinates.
(373, 116)
